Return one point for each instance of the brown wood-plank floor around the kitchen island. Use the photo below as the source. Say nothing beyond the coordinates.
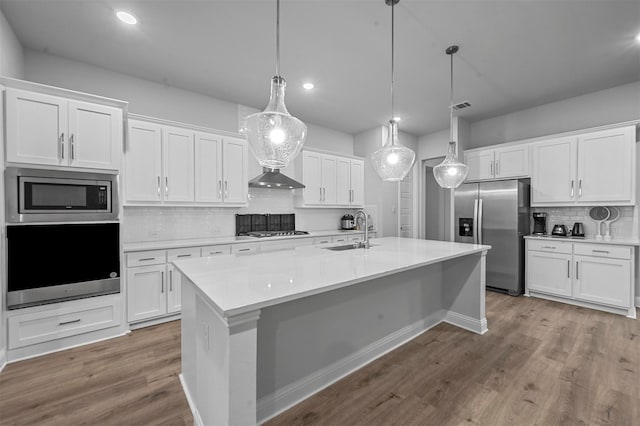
(541, 363)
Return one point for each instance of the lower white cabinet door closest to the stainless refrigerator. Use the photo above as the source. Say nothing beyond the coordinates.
(549, 272)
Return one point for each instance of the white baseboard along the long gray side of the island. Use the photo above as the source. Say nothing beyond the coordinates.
(290, 395)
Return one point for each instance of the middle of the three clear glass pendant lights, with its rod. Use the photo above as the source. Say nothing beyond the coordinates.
(393, 161)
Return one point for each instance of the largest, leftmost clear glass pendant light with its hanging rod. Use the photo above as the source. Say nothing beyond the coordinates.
(275, 137)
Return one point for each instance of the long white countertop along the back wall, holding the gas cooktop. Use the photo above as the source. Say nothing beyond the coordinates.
(196, 242)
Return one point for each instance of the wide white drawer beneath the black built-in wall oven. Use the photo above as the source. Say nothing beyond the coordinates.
(37, 327)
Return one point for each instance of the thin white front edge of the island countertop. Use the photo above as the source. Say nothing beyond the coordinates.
(288, 298)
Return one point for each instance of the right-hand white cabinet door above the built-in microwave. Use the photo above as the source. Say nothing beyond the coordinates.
(95, 136)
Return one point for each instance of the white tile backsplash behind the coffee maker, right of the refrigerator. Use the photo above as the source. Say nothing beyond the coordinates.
(621, 229)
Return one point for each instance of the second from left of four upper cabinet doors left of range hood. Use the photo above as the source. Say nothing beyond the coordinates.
(178, 164)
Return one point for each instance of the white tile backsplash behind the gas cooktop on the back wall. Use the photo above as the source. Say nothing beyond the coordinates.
(167, 223)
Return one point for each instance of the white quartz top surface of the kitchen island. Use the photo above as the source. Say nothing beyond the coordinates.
(236, 284)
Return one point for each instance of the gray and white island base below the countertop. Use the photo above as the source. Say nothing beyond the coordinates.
(246, 368)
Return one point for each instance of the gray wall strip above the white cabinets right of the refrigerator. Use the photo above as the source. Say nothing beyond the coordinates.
(615, 105)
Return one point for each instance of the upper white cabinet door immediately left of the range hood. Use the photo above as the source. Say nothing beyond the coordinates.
(235, 170)
